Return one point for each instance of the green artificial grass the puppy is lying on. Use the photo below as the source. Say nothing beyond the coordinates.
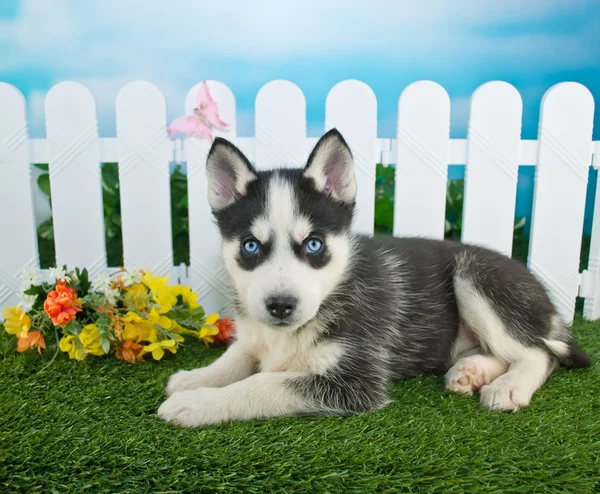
(91, 426)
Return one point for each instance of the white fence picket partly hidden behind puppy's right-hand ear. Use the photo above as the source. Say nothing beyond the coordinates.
(351, 107)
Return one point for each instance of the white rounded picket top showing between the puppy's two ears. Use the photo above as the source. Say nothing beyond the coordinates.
(280, 126)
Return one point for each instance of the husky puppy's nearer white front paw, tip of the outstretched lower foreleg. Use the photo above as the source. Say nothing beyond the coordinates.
(194, 408)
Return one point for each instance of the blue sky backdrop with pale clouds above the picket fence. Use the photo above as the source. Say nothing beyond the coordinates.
(461, 44)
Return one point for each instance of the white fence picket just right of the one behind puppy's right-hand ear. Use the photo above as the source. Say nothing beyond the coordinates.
(422, 160)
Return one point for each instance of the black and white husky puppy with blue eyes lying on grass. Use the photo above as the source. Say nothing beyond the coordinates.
(361, 312)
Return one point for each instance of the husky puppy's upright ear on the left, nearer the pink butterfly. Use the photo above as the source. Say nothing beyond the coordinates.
(229, 173)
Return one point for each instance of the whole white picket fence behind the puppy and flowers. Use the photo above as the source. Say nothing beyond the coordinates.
(422, 151)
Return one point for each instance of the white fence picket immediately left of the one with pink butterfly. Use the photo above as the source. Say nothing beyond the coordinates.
(145, 153)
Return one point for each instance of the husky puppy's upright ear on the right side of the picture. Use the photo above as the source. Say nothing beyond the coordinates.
(331, 167)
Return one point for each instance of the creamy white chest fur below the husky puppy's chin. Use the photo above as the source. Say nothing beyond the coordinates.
(280, 351)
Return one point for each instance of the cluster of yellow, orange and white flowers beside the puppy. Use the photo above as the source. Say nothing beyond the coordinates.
(130, 314)
